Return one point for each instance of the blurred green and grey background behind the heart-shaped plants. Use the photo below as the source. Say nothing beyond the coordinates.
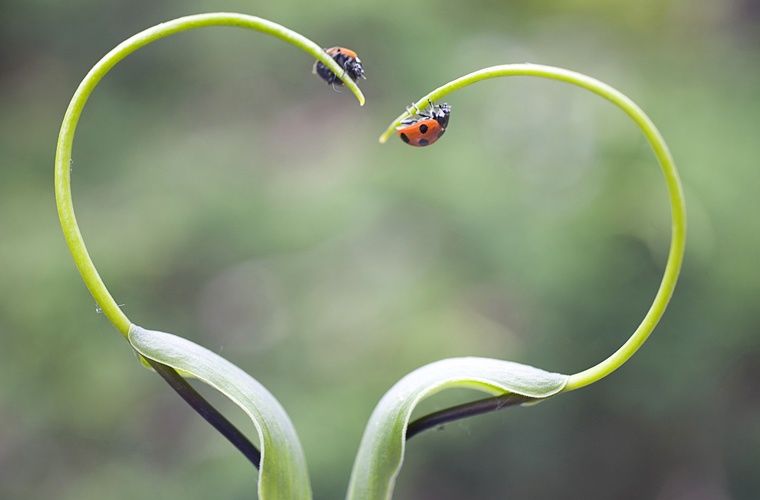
(229, 196)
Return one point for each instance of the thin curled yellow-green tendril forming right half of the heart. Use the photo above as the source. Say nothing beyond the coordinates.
(675, 193)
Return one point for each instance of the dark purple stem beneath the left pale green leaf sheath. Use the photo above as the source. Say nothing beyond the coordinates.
(207, 411)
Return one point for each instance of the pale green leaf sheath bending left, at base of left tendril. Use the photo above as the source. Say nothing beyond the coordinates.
(282, 472)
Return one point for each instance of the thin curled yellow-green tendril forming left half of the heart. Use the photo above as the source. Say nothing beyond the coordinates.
(66, 137)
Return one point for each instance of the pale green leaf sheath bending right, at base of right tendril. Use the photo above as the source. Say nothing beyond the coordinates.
(382, 448)
